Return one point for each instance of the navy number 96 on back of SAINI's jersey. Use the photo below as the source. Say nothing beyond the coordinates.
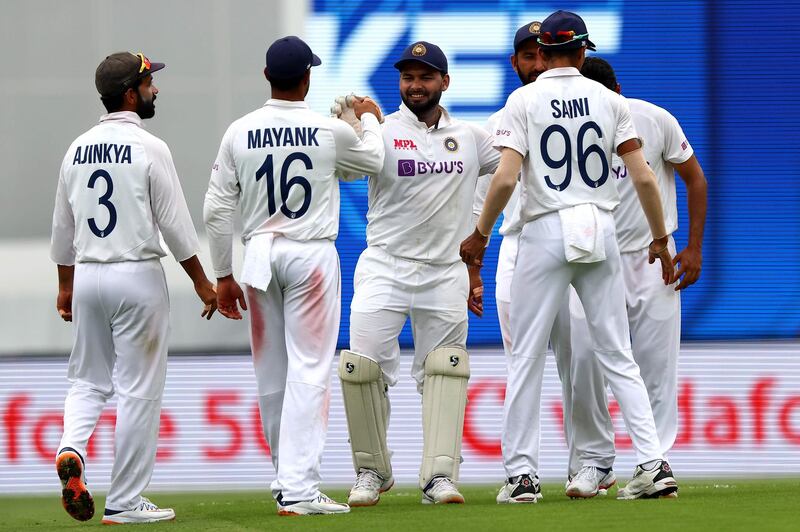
(583, 156)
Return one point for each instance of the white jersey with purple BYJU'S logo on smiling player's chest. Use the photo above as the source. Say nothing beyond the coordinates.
(420, 204)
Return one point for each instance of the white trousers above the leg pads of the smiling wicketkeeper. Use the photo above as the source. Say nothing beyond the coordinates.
(388, 290)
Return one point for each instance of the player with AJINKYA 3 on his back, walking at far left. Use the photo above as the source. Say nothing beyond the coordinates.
(117, 191)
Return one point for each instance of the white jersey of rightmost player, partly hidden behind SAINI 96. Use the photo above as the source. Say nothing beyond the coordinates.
(664, 145)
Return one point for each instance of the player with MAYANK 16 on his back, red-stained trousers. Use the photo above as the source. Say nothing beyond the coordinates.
(278, 164)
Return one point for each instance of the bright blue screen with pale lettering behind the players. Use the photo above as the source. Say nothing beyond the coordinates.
(727, 70)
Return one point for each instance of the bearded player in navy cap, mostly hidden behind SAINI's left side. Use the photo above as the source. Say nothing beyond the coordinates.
(528, 64)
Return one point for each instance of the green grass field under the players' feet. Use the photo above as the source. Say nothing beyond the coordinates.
(754, 505)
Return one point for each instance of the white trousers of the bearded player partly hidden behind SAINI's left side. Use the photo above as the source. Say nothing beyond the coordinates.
(527, 442)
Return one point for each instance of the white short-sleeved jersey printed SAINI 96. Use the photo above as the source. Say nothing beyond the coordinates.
(567, 127)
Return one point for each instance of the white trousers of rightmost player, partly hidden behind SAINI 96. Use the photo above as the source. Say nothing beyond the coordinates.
(654, 315)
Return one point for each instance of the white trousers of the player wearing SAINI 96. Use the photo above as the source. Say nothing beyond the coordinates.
(541, 278)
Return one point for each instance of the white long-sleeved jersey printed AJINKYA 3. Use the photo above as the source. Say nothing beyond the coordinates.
(117, 188)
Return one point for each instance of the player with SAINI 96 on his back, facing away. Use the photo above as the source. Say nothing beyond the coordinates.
(564, 129)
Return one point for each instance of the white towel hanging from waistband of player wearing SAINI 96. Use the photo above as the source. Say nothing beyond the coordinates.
(583, 234)
